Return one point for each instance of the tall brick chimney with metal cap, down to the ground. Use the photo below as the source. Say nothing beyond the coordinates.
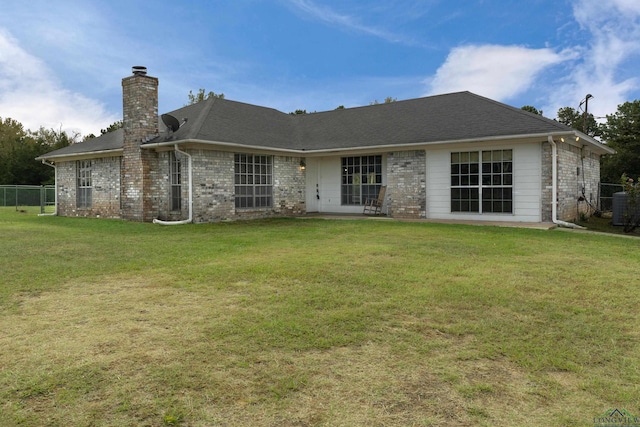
(140, 123)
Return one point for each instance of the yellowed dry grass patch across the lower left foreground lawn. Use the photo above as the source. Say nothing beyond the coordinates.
(130, 350)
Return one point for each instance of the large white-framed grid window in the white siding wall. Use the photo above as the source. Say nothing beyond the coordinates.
(482, 181)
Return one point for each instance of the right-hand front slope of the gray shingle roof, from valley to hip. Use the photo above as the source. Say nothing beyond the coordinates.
(442, 118)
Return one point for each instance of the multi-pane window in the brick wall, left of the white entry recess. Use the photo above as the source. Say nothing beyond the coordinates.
(253, 181)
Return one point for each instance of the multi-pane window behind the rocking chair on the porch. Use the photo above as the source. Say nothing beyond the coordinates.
(361, 179)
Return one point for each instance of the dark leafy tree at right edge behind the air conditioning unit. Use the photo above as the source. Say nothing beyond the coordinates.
(622, 133)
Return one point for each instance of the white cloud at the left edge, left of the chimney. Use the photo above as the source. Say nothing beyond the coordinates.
(31, 94)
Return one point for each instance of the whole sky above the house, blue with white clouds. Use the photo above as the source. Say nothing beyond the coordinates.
(61, 62)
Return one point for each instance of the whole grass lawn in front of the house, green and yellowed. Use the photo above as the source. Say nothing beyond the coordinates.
(311, 322)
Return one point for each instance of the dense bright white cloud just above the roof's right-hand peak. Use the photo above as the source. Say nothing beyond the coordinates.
(494, 71)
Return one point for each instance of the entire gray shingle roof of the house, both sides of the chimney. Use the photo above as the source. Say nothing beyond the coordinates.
(435, 119)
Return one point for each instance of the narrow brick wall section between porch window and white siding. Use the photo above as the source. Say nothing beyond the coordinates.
(406, 184)
